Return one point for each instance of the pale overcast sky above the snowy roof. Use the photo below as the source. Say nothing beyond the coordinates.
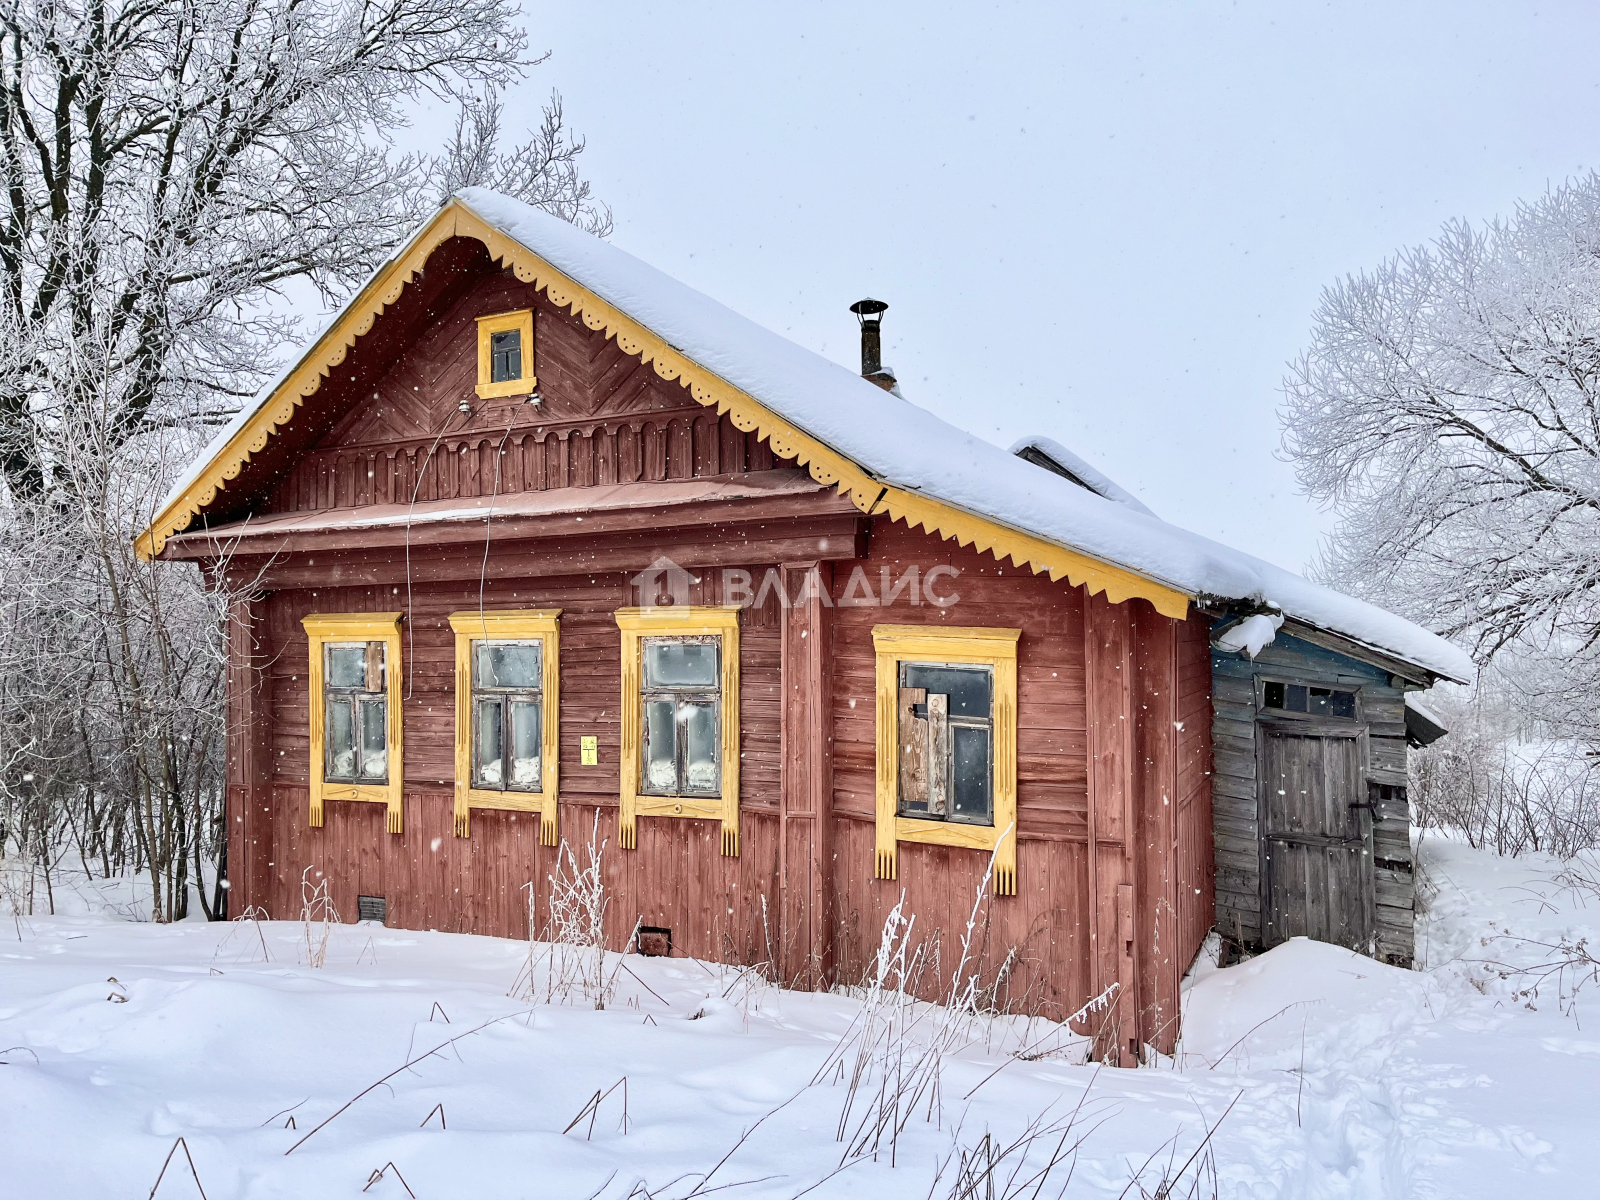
(1110, 228)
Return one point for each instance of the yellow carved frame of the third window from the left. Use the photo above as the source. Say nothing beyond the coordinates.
(636, 625)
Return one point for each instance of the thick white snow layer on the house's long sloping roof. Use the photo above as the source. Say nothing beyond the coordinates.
(910, 449)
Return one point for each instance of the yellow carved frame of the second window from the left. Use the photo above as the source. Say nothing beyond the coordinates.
(513, 625)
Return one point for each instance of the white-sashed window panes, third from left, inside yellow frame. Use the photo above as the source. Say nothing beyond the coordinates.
(682, 716)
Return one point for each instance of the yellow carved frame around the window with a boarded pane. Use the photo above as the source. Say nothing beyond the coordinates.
(946, 644)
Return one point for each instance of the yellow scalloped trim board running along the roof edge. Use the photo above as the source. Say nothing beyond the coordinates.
(826, 466)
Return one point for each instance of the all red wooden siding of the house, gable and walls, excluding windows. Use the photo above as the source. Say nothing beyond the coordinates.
(1114, 732)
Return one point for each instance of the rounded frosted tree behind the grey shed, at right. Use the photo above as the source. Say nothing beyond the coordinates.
(1449, 409)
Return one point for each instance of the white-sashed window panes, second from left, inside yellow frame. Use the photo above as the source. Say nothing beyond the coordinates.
(508, 716)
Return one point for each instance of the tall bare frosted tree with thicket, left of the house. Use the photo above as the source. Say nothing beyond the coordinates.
(177, 177)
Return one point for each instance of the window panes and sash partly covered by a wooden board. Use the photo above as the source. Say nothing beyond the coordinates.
(946, 743)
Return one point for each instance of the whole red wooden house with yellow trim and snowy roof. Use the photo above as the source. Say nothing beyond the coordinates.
(535, 542)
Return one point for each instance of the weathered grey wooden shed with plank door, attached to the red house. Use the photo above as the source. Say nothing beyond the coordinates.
(1310, 796)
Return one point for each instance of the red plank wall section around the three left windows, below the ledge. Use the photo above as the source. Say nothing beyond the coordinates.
(431, 879)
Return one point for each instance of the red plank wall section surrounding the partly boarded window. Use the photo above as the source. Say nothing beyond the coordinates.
(1039, 943)
